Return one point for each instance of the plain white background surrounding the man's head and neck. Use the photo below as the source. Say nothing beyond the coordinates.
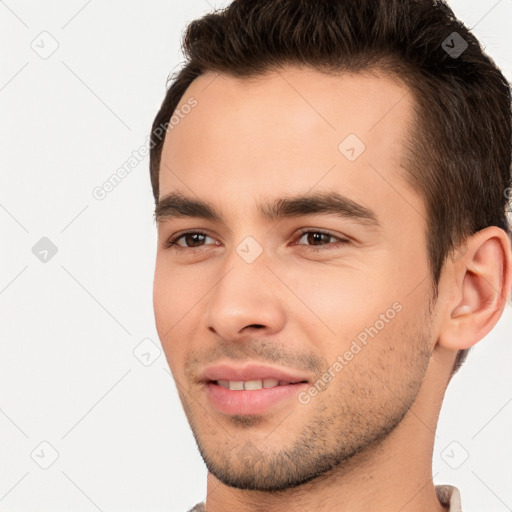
(69, 326)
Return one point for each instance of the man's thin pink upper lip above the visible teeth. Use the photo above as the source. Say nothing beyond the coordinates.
(250, 371)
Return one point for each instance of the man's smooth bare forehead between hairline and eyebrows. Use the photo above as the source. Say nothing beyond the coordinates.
(290, 130)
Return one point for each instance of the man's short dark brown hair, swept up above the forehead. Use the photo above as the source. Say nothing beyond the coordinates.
(459, 156)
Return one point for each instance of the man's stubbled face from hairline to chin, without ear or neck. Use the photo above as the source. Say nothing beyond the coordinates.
(307, 270)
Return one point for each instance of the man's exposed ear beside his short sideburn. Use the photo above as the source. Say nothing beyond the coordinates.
(478, 288)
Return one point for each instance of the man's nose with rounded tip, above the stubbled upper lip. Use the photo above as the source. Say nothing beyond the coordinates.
(247, 298)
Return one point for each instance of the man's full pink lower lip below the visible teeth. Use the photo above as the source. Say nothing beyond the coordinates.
(256, 401)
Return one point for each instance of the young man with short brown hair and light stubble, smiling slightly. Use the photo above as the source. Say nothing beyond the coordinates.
(331, 183)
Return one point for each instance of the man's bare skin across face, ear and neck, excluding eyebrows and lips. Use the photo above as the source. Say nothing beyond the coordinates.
(368, 438)
